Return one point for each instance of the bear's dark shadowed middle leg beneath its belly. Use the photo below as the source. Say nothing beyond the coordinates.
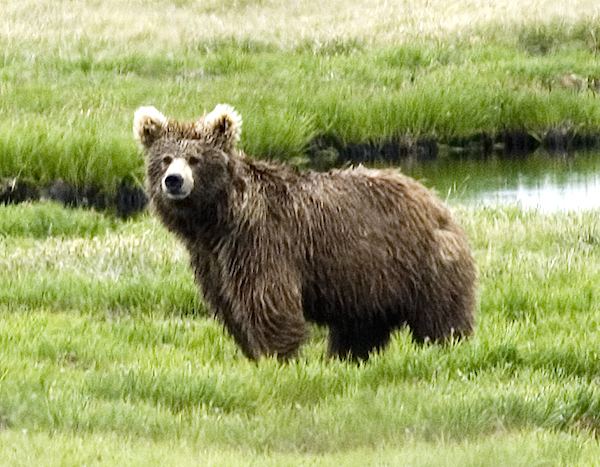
(357, 341)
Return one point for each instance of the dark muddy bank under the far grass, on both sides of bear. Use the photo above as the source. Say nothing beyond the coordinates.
(323, 153)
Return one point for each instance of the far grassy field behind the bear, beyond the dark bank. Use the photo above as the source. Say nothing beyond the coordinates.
(71, 74)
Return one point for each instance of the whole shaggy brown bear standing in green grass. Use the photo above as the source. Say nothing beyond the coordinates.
(361, 251)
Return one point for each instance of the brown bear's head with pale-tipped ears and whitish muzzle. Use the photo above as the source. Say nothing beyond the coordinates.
(188, 163)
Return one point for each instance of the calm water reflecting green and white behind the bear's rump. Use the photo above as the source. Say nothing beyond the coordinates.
(548, 183)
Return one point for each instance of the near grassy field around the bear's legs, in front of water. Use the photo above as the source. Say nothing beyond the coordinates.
(107, 356)
